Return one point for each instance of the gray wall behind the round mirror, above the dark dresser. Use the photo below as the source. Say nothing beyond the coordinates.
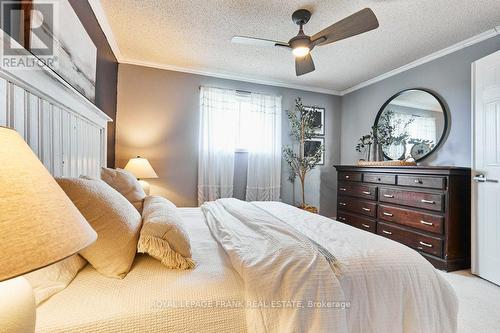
(449, 77)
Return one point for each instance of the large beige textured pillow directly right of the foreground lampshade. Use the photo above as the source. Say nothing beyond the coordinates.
(115, 220)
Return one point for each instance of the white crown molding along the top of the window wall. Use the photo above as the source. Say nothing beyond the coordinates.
(230, 76)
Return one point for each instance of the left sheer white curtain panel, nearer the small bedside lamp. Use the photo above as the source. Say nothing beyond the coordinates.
(218, 126)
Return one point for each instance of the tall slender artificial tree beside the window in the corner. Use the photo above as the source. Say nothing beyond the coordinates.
(302, 128)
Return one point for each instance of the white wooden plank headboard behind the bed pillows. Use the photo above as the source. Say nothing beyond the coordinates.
(65, 130)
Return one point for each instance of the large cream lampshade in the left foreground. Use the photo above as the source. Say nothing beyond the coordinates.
(39, 224)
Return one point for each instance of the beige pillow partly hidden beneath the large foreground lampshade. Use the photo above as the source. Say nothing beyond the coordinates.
(50, 280)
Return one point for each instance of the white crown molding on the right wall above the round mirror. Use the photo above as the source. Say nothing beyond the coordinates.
(433, 56)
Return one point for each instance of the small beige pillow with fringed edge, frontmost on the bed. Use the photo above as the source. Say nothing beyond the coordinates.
(162, 235)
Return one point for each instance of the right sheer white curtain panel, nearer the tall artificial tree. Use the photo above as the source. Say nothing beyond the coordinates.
(264, 149)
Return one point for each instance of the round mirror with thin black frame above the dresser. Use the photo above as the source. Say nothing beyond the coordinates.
(411, 123)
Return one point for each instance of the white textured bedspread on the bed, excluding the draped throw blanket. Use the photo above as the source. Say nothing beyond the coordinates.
(386, 287)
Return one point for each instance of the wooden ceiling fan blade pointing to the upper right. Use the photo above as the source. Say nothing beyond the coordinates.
(362, 21)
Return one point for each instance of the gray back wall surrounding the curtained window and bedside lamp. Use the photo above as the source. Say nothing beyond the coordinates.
(158, 119)
